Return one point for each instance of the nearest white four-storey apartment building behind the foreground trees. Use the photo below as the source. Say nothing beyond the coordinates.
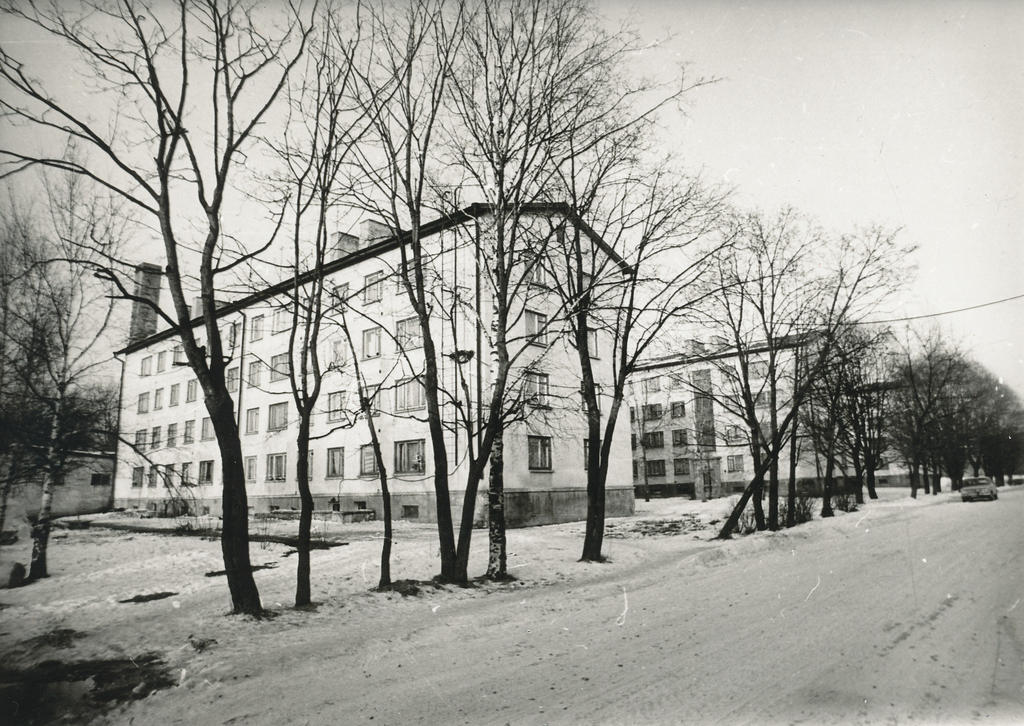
(168, 458)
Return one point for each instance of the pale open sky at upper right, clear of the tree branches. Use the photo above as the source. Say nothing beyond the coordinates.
(907, 114)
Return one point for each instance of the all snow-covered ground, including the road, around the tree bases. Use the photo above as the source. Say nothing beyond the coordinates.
(902, 613)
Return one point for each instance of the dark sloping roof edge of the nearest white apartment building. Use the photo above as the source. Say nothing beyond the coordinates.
(436, 227)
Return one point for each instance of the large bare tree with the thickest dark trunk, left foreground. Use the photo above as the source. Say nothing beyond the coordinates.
(190, 83)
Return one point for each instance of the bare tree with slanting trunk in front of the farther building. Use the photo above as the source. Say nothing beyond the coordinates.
(790, 285)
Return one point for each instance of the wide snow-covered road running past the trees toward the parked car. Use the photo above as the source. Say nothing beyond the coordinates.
(889, 616)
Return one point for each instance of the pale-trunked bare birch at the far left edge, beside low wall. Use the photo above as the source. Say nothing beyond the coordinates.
(57, 336)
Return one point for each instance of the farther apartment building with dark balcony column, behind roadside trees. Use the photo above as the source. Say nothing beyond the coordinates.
(689, 440)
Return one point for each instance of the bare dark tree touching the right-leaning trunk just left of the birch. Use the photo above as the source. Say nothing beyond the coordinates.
(402, 76)
